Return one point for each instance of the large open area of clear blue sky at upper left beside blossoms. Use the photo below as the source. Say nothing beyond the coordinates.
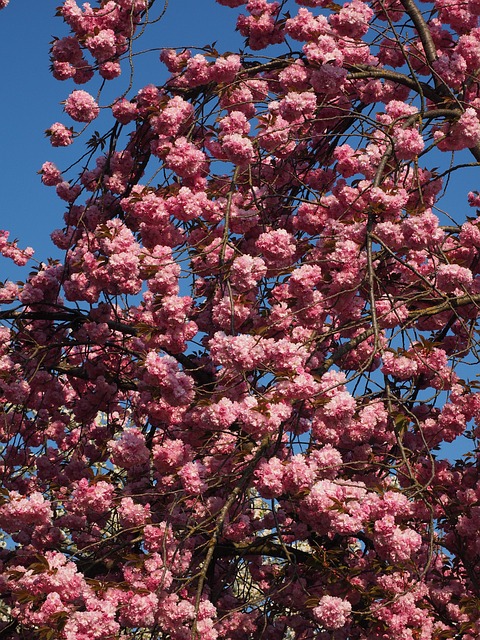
(32, 102)
